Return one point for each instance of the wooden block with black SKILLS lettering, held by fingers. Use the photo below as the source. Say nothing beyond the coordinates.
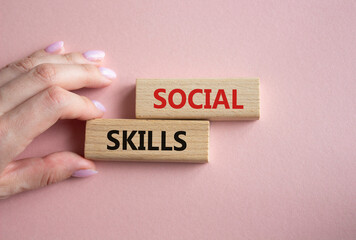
(147, 140)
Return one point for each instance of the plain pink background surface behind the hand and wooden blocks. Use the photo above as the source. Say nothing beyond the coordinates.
(290, 175)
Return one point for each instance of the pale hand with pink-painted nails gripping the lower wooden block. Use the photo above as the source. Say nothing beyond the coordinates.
(35, 92)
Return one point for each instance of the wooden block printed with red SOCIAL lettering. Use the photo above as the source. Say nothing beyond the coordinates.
(212, 99)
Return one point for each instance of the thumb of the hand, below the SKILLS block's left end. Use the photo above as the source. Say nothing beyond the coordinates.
(32, 173)
